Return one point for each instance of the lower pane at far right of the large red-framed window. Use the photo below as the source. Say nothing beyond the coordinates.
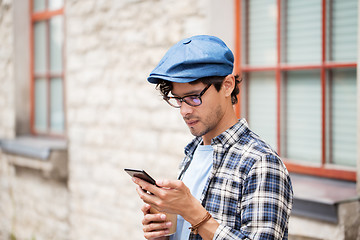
(343, 117)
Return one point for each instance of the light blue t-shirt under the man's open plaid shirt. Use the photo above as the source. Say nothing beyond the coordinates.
(195, 179)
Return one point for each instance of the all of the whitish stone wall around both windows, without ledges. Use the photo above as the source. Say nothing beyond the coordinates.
(114, 120)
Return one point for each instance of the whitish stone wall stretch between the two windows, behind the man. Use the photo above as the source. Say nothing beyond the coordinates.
(115, 118)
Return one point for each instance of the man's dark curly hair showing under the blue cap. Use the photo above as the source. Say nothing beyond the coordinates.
(165, 87)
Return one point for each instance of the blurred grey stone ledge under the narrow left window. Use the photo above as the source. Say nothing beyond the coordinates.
(47, 155)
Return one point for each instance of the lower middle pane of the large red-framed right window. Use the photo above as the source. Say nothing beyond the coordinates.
(303, 116)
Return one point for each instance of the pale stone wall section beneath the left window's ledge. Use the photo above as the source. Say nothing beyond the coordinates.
(32, 207)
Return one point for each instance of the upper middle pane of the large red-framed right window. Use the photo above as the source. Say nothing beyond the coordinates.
(303, 31)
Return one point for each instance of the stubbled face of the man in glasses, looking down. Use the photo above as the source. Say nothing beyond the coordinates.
(203, 120)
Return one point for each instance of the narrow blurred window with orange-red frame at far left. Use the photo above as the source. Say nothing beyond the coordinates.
(47, 71)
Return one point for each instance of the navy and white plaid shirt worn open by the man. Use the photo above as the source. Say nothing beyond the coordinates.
(249, 190)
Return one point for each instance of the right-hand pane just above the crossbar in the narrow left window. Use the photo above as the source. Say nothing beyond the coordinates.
(56, 40)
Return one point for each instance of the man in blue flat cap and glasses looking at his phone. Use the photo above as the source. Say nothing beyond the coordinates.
(232, 184)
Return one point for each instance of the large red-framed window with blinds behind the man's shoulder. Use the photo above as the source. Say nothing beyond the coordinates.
(298, 62)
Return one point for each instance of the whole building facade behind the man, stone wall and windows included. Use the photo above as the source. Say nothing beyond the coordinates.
(76, 109)
